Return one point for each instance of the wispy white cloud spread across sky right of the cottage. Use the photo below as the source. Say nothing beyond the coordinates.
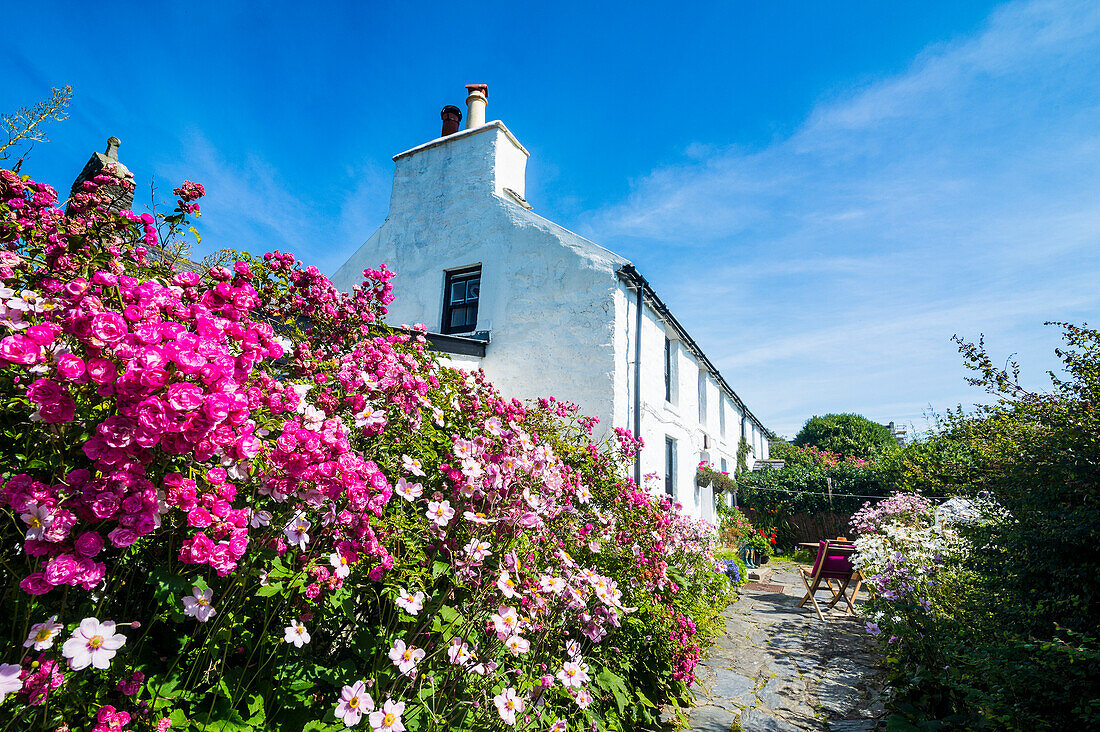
(960, 196)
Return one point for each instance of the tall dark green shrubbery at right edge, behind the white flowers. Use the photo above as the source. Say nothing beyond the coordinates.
(1010, 638)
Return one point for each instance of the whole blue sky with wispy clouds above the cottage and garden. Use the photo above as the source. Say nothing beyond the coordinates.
(824, 193)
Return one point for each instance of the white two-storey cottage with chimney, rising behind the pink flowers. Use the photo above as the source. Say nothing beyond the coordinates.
(546, 312)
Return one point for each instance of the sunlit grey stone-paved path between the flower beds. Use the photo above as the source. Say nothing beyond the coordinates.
(780, 670)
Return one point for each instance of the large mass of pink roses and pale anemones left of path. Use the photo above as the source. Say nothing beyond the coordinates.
(235, 498)
